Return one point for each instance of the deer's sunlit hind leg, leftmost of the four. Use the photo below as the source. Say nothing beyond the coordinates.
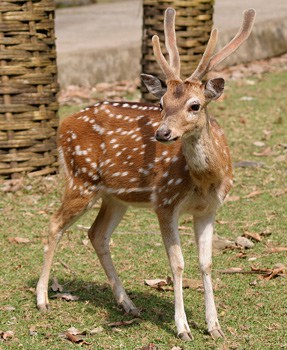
(73, 206)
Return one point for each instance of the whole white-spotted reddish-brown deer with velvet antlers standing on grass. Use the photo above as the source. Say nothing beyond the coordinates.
(172, 157)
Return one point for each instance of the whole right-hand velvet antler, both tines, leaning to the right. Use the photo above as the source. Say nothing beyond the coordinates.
(207, 62)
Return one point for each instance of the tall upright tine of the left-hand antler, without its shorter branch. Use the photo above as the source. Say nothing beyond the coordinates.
(170, 40)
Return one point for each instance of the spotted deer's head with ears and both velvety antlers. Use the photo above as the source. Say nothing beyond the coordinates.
(183, 102)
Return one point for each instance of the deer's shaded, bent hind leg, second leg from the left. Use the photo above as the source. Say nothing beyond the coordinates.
(109, 216)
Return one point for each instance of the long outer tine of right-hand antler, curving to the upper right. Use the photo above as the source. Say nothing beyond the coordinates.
(240, 37)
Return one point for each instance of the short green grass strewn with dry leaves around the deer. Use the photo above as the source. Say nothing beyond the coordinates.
(252, 310)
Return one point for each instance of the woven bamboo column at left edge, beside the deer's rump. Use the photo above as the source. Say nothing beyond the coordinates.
(28, 87)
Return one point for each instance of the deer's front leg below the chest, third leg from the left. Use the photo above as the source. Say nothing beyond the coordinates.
(168, 225)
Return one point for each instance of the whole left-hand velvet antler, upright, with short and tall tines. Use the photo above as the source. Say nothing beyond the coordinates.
(172, 69)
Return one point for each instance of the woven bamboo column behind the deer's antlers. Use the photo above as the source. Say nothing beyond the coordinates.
(193, 26)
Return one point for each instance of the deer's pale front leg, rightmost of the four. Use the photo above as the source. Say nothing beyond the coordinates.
(203, 227)
